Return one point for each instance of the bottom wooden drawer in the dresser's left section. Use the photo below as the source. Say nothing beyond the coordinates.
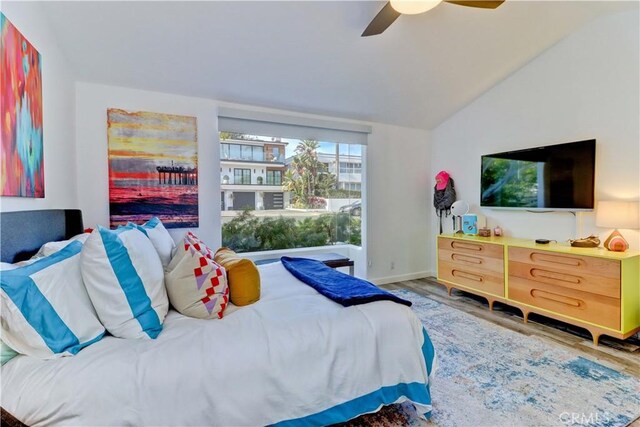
(471, 277)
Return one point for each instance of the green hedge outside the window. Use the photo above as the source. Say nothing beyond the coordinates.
(247, 233)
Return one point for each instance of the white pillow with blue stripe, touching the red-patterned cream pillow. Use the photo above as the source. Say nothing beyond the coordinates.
(125, 281)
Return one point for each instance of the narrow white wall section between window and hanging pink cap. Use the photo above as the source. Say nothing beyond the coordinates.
(399, 208)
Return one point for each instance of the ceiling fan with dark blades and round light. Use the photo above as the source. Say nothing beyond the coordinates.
(394, 8)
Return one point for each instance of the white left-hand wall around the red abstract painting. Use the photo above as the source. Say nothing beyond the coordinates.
(58, 113)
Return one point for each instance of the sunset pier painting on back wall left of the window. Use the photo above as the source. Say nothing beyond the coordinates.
(153, 168)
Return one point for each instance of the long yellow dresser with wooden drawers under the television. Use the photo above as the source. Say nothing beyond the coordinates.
(592, 288)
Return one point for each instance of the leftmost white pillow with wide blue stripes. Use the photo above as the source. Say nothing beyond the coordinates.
(45, 309)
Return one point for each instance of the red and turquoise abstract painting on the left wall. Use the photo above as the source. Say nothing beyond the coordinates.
(21, 114)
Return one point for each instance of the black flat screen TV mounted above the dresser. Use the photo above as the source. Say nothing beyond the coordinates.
(553, 177)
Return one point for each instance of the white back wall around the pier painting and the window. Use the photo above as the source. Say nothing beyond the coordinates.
(397, 221)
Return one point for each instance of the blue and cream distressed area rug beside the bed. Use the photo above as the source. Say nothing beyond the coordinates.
(488, 375)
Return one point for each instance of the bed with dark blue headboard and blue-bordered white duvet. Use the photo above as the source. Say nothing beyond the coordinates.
(293, 358)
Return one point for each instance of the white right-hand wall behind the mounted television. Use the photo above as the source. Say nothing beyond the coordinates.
(584, 87)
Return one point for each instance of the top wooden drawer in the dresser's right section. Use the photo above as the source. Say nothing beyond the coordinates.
(567, 263)
